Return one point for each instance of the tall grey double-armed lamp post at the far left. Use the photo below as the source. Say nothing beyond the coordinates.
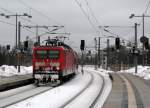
(16, 16)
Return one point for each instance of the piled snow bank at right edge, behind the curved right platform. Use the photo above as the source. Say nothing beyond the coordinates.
(142, 71)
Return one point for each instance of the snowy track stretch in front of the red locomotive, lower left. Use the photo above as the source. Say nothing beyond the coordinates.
(9, 98)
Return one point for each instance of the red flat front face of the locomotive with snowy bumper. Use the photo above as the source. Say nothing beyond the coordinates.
(47, 64)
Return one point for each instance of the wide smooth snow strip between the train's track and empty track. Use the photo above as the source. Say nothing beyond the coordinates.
(57, 96)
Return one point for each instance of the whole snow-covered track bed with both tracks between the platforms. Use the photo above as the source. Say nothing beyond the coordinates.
(89, 91)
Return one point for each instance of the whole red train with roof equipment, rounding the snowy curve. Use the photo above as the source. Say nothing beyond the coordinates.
(53, 62)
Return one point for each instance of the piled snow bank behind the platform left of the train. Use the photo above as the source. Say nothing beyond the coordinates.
(7, 71)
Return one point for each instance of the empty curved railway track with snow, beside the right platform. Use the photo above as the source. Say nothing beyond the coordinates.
(86, 89)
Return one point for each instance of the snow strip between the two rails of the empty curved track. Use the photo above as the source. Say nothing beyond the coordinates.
(89, 94)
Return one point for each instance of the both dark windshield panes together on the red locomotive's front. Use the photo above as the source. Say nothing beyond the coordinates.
(44, 54)
